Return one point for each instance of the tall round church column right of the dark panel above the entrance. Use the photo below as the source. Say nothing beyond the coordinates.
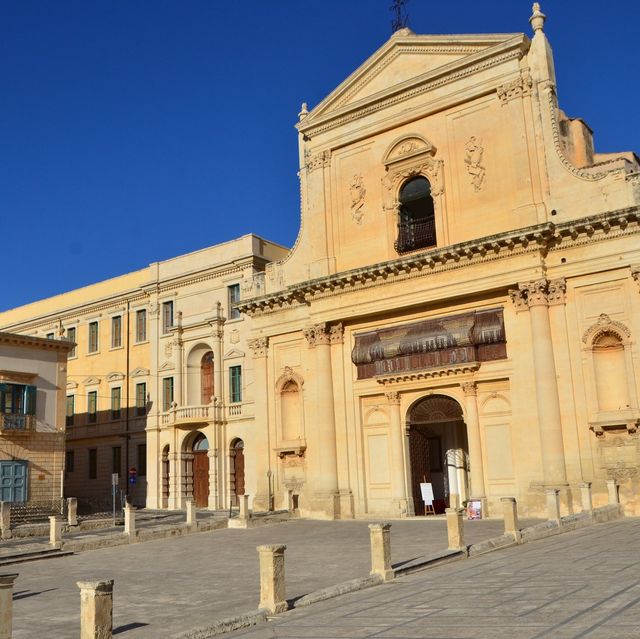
(546, 384)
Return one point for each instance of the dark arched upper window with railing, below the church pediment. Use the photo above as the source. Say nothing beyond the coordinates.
(416, 221)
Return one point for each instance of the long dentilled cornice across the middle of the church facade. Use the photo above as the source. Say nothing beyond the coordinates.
(542, 237)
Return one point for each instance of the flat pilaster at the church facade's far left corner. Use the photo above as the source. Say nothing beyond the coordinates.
(260, 448)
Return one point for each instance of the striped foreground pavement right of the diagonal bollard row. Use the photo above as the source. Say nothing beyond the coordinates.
(582, 584)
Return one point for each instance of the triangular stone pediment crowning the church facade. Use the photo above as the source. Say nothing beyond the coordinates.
(407, 58)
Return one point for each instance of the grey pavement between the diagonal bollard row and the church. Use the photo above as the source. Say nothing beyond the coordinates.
(171, 585)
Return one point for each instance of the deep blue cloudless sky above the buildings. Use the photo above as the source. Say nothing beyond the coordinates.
(133, 131)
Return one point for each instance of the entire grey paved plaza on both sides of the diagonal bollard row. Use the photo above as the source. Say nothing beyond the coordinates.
(579, 584)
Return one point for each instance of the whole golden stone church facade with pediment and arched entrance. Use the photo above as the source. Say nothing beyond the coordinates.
(461, 306)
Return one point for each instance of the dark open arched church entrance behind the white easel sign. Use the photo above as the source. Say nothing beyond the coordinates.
(438, 451)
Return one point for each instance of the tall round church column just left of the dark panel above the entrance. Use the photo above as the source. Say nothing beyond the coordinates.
(323, 463)
